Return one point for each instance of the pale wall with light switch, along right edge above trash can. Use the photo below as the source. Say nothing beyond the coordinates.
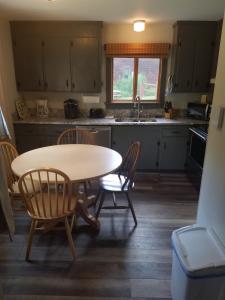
(211, 209)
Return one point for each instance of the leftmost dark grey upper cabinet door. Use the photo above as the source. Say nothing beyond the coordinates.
(28, 56)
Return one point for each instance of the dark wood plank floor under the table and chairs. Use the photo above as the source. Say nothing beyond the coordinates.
(121, 262)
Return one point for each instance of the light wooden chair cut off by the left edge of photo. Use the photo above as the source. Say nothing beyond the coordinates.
(9, 153)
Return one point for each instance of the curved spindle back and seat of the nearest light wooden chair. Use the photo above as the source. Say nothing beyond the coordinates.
(47, 194)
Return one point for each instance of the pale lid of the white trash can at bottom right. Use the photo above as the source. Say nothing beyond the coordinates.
(200, 251)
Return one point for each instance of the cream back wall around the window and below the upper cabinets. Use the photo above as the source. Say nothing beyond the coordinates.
(157, 32)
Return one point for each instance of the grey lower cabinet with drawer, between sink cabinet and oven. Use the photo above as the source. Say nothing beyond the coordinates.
(173, 148)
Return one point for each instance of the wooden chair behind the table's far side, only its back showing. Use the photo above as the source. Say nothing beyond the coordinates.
(77, 136)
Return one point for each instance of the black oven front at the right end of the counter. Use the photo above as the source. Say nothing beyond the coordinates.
(196, 155)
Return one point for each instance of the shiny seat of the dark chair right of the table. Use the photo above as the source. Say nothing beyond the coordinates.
(113, 183)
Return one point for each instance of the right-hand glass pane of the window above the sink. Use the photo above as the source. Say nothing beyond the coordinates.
(148, 74)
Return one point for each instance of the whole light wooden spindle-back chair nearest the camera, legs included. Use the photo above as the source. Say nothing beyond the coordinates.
(48, 198)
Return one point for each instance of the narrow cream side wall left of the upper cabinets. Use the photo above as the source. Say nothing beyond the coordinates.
(8, 92)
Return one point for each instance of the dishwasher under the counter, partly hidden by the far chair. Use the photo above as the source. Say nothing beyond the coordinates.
(103, 134)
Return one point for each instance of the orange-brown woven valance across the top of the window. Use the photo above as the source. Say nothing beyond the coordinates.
(137, 49)
